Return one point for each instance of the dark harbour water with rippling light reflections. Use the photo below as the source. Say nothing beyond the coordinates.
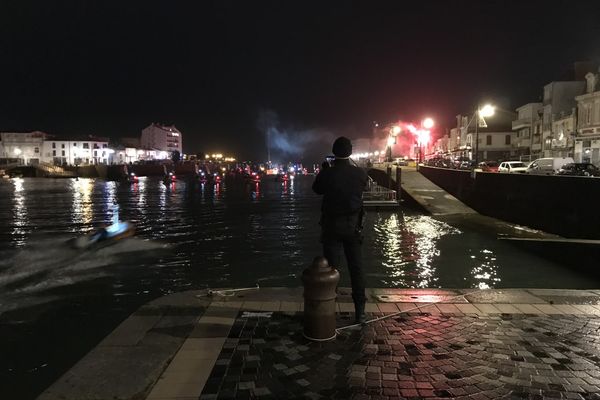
(56, 303)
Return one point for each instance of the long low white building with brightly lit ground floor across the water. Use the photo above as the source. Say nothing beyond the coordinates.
(76, 150)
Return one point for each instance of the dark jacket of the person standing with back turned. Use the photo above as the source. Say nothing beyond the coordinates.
(342, 186)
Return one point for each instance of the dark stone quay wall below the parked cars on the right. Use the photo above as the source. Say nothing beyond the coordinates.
(564, 205)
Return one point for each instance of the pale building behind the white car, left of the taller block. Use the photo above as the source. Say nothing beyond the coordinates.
(527, 144)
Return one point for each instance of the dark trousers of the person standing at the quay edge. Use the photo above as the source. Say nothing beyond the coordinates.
(340, 233)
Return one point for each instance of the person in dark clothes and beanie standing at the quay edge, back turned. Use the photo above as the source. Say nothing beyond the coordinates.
(342, 185)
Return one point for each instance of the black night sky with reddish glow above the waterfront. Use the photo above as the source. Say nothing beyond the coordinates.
(220, 71)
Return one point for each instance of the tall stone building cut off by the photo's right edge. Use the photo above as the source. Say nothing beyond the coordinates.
(587, 140)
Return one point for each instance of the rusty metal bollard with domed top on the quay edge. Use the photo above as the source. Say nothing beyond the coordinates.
(320, 281)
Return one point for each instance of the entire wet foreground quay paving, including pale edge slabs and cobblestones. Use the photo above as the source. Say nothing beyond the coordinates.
(485, 344)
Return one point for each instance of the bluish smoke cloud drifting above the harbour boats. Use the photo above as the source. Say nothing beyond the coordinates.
(285, 143)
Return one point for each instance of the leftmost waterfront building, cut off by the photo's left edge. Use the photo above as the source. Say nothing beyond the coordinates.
(22, 147)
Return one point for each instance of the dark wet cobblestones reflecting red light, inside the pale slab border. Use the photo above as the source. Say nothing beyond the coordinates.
(411, 356)
